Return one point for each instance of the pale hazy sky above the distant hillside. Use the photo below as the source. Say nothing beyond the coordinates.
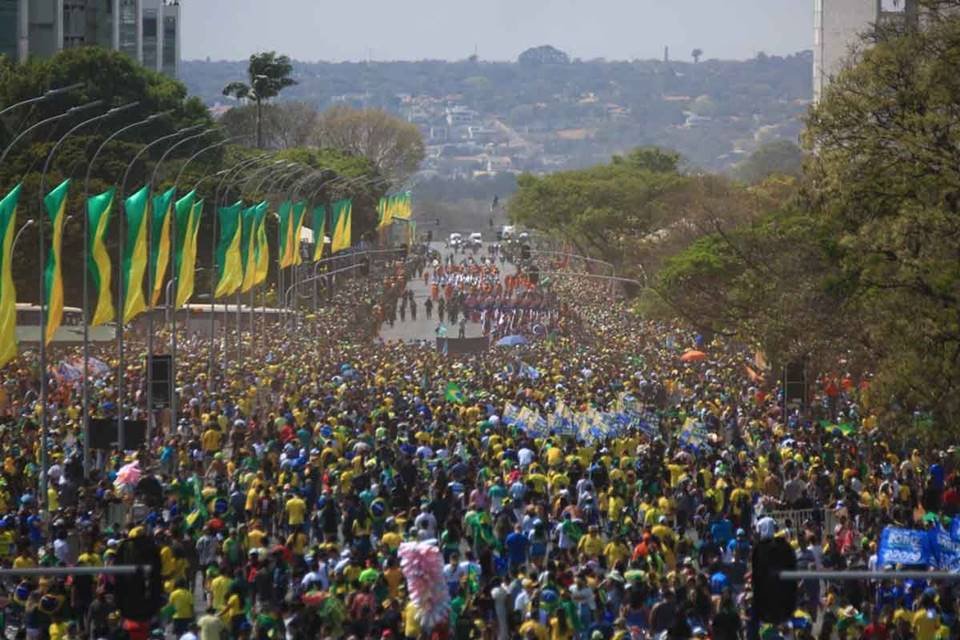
(500, 29)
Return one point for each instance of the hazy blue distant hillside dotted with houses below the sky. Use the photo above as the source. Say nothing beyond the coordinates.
(543, 114)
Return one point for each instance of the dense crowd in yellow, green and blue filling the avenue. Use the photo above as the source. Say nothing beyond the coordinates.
(289, 484)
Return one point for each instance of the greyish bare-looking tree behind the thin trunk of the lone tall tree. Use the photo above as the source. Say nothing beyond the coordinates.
(284, 125)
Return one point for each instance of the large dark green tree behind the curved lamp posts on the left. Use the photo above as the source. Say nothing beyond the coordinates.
(116, 79)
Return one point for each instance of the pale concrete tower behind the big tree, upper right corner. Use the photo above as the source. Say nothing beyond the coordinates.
(838, 25)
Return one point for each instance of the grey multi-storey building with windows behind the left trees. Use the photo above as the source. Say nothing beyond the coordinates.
(146, 30)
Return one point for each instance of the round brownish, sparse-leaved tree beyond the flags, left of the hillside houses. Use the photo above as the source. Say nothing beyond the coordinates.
(394, 147)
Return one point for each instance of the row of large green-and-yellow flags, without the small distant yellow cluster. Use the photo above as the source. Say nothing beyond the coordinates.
(242, 254)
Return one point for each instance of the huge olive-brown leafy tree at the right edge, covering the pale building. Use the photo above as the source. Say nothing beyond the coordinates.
(886, 174)
